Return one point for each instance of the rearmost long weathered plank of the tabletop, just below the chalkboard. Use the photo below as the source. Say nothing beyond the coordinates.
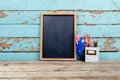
(43, 67)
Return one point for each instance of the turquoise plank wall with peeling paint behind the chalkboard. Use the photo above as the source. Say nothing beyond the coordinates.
(20, 25)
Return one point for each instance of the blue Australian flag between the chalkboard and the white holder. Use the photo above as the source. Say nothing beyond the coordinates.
(80, 44)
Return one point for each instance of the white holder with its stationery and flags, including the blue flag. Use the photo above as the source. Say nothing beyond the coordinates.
(90, 46)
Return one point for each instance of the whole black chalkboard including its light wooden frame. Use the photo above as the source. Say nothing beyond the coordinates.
(57, 36)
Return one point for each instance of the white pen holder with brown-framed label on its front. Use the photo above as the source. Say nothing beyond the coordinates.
(92, 54)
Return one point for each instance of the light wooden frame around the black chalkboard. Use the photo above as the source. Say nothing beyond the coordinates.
(42, 33)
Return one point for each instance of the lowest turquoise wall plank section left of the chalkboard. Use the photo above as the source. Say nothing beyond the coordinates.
(19, 56)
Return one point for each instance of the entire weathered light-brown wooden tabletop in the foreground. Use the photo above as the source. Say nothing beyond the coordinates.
(65, 70)
